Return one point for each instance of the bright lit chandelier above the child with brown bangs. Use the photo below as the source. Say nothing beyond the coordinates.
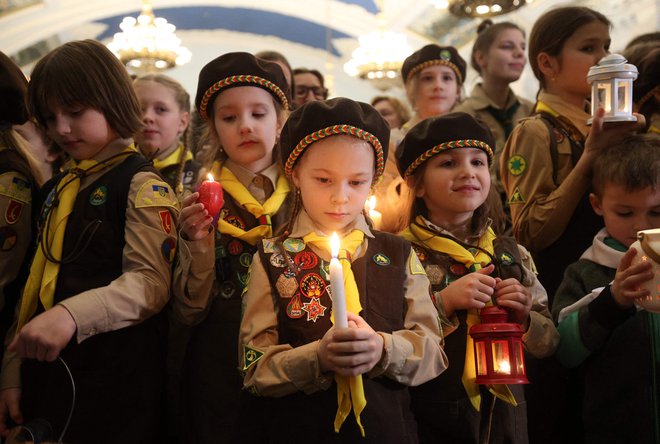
(148, 44)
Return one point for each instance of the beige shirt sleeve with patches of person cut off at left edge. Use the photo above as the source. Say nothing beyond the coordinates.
(17, 187)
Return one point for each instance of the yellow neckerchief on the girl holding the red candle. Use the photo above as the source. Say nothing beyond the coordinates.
(242, 196)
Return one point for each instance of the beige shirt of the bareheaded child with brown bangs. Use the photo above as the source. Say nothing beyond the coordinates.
(143, 288)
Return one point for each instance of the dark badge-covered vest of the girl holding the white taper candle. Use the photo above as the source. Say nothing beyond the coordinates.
(387, 417)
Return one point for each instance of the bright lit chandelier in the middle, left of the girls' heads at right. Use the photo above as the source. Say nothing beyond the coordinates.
(379, 57)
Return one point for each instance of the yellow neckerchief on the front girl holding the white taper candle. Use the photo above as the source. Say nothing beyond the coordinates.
(349, 389)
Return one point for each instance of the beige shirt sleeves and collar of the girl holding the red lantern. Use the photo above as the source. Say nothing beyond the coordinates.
(541, 338)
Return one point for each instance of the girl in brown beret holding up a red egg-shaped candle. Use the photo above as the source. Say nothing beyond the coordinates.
(244, 101)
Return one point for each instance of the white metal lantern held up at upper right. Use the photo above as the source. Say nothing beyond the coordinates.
(611, 88)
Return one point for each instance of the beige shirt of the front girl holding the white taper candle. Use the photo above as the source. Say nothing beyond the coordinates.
(411, 357)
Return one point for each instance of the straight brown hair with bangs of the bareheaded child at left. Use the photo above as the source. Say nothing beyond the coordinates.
(85, 74)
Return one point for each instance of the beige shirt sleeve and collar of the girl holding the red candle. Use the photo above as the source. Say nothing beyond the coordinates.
(194, 283)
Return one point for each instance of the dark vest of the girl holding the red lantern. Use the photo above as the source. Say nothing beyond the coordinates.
(441, 405)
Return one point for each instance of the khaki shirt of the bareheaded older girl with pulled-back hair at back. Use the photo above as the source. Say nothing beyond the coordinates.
(482, 107)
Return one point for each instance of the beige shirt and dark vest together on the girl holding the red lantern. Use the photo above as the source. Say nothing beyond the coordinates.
(439, 402)
